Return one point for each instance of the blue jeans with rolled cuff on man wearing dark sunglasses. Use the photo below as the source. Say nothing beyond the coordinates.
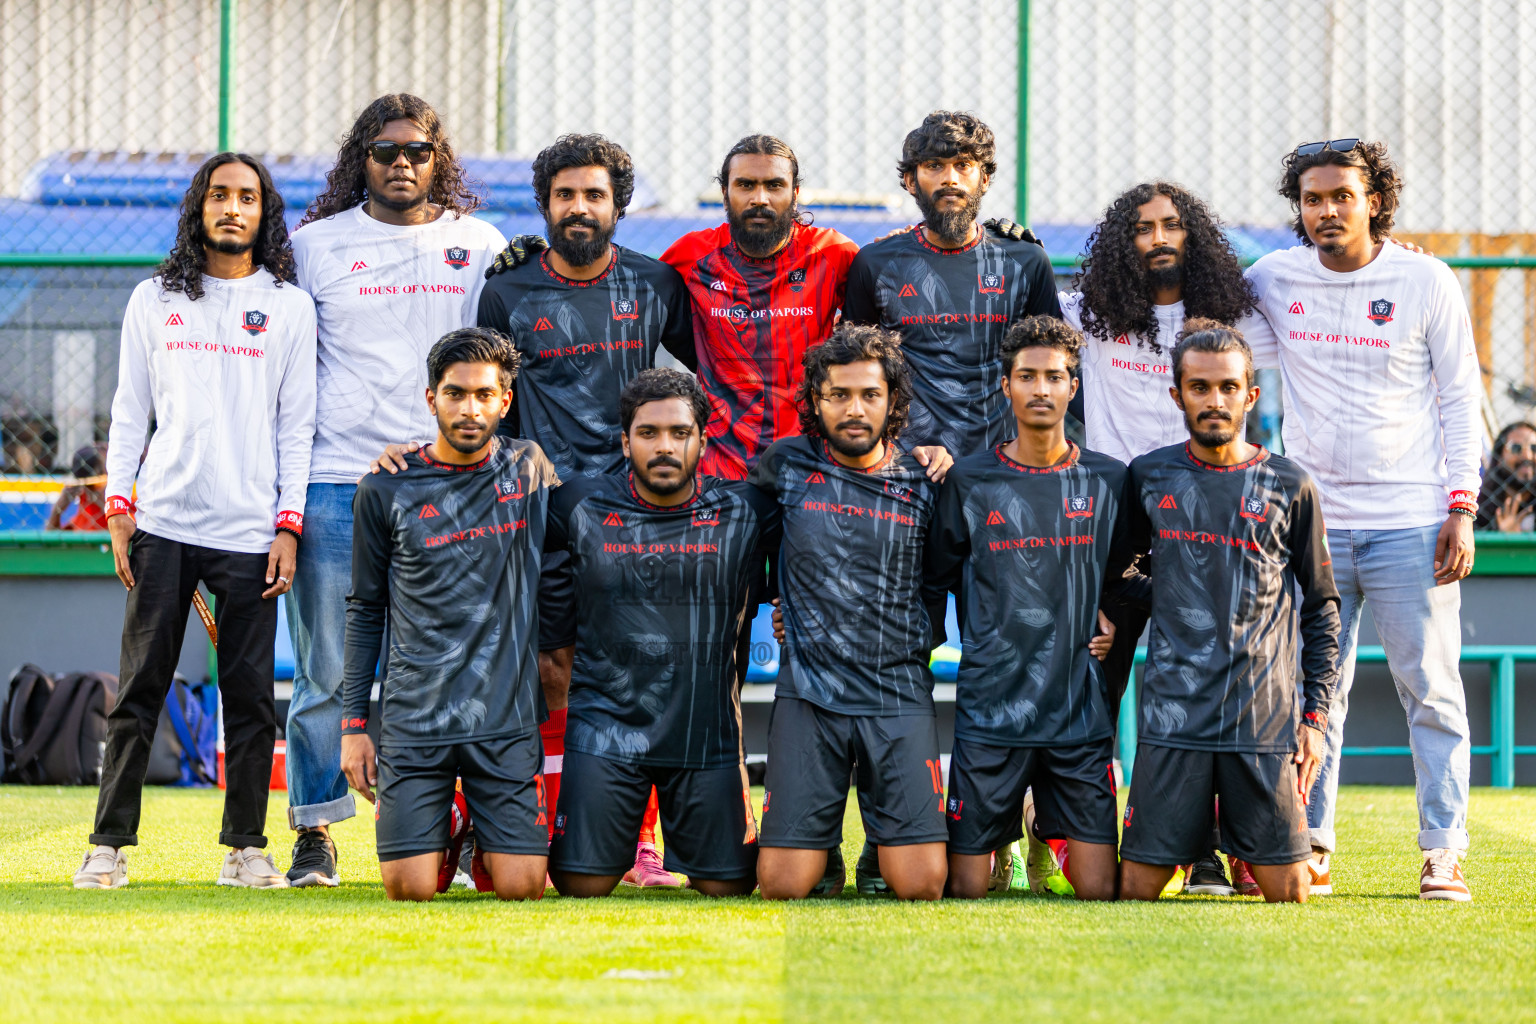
(319, 626)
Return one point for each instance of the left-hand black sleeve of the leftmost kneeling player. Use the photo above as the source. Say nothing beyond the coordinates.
(368, 604)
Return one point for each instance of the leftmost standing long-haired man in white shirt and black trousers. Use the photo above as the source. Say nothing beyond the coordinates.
(219, 352)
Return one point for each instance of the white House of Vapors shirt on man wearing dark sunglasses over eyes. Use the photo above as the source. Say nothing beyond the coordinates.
(385, 296)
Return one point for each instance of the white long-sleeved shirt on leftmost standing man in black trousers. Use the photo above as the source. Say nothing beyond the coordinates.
(230, 383)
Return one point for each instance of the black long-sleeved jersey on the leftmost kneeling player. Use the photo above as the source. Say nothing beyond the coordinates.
(452, 553)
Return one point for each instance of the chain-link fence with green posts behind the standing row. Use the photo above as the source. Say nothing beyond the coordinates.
(107, 107)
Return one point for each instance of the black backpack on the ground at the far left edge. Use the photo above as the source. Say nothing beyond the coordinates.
(53, 728)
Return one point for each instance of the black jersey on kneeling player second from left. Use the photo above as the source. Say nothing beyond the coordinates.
(661, 603)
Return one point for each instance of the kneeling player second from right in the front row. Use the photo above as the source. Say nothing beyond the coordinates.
(1030, 535)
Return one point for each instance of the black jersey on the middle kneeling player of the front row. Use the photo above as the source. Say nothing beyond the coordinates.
(850, 573)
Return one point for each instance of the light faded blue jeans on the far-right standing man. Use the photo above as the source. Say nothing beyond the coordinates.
(1420, 627)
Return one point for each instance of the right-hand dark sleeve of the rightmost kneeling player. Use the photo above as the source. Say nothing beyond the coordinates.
(1320, 606)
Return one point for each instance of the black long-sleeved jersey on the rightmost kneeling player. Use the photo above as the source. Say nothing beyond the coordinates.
(1231, 550)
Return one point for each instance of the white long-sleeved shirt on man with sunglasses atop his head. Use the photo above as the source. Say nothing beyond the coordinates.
(1382, 383)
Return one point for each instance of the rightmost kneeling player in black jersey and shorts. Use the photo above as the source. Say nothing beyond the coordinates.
(1236, 535)
